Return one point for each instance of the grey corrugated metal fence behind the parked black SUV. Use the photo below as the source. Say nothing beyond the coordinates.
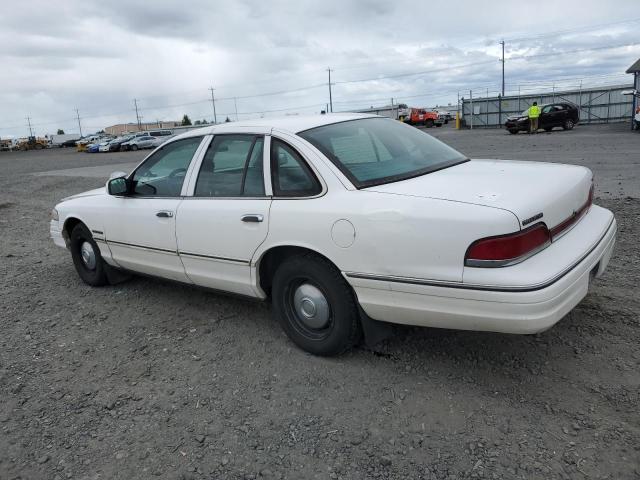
(597, 105)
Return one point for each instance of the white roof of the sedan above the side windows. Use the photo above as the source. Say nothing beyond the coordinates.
(292, 124)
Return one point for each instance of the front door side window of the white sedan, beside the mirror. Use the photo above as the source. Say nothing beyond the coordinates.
(163, 174)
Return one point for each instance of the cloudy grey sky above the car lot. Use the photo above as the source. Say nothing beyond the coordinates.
(99, 56)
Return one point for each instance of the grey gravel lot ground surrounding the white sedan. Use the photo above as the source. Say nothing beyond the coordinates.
(150, 379)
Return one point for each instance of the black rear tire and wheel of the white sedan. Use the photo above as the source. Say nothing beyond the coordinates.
(342, 329)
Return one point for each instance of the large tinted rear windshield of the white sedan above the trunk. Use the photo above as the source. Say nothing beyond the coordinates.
(373, 151)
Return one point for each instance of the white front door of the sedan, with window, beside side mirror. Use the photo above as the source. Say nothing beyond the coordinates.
(140, 226)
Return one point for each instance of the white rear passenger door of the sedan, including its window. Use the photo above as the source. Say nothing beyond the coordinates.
(226, 217)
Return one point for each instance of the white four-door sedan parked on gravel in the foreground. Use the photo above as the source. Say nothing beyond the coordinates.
(345, 220)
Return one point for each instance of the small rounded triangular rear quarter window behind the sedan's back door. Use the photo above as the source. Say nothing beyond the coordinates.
(290, 175)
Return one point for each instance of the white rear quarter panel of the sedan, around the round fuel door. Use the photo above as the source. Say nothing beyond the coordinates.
(394, 234)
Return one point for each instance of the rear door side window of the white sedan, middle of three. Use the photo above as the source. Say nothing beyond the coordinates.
(232, 167)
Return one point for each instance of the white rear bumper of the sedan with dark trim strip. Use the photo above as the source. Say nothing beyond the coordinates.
(522, 311)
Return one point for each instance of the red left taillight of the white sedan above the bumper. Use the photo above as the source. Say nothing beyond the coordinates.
(510, 249)
